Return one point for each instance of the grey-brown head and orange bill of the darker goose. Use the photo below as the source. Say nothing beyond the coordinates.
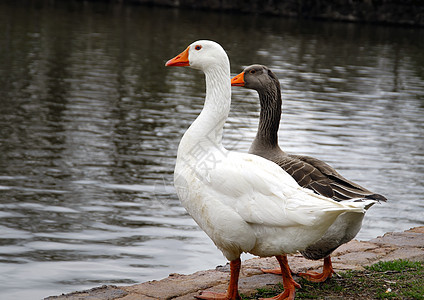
(256, 77)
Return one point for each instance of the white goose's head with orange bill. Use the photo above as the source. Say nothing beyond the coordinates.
(201, 55)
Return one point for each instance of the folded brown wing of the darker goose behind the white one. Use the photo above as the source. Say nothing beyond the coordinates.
(320, 177)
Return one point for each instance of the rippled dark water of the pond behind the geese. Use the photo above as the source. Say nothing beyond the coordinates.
(90, 122)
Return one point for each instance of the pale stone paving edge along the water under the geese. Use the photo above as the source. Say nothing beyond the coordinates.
(354, 255)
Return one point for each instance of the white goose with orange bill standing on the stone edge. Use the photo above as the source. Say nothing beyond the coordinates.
(244, 203)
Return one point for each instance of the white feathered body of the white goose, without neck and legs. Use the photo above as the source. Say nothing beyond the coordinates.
(248, 204)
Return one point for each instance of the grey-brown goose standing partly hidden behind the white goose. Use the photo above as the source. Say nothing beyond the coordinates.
(309, 172)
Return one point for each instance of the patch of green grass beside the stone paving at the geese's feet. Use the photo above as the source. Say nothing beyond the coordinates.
(398, 279)
